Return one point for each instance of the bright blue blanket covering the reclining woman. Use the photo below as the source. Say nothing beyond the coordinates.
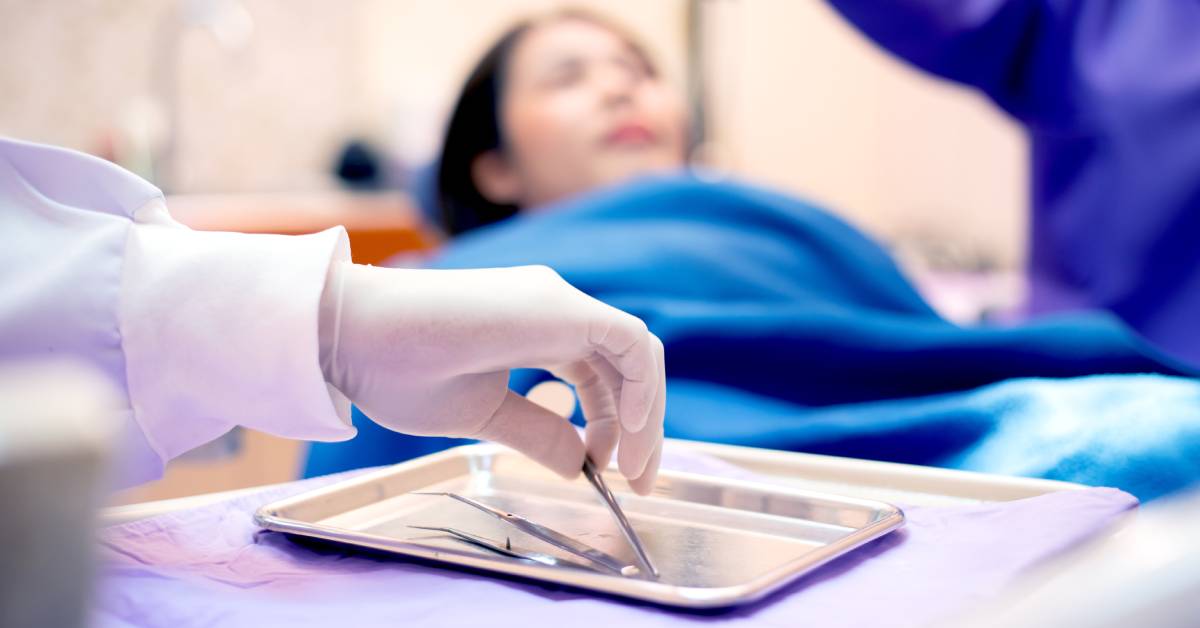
(787, 328)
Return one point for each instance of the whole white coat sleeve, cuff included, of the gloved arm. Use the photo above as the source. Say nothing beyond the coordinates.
(202, 332)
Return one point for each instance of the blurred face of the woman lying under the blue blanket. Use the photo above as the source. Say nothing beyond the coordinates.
(583, 109)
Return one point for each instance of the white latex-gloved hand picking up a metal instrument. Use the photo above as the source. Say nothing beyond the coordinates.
(429, 352)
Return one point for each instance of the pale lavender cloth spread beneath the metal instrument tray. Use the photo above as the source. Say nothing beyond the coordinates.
(213, 567)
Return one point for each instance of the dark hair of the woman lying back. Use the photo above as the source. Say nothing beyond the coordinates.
(475, 129)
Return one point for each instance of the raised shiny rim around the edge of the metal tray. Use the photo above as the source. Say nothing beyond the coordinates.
(268, 517)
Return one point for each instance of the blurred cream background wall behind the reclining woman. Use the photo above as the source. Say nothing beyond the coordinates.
(269, 91)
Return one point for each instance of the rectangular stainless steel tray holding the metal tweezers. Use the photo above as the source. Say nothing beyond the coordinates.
(717, 542)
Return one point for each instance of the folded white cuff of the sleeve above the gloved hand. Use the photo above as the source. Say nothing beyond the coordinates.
(221, 330)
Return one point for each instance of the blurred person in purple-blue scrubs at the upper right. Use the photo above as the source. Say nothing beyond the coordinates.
(1109, 93)
